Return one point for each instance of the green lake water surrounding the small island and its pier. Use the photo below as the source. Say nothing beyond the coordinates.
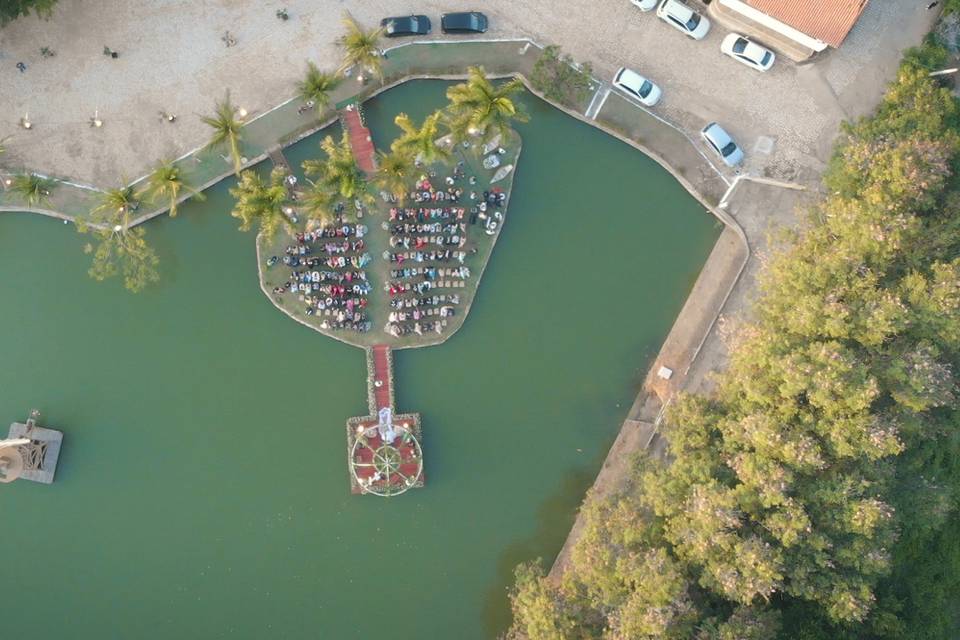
(202, 490)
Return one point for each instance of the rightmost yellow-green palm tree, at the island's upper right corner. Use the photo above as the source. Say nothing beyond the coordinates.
(478, 106)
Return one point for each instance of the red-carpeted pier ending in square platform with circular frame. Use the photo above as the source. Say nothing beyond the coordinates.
(384, 456)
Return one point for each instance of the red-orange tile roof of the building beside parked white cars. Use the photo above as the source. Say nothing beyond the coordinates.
(826, 20)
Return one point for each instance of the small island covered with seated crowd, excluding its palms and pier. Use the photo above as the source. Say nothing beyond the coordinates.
(400, 269)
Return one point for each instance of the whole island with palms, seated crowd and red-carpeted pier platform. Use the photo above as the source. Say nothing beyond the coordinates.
(385, 251)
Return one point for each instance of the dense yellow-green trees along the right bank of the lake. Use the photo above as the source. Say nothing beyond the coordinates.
(830, 437)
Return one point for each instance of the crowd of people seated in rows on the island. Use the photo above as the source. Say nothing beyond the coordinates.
(428, 247)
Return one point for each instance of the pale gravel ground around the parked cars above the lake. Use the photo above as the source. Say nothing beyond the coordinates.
(172, 59)
